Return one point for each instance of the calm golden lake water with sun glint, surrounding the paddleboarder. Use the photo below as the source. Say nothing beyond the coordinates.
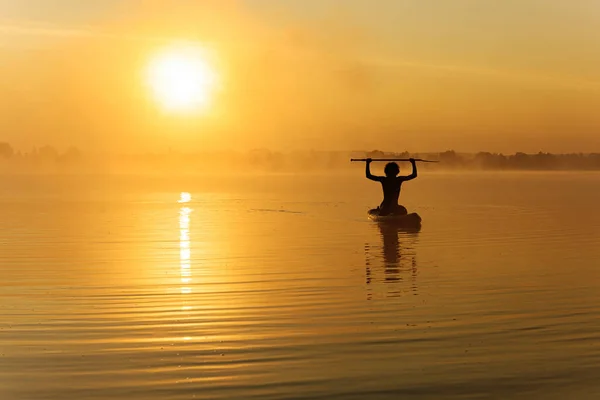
(278, 287)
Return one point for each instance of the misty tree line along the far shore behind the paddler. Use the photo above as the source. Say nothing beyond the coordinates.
(263, 159)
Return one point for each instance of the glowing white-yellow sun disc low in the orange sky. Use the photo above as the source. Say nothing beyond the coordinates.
(182, 79)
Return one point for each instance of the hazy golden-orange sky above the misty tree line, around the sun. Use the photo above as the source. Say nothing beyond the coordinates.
(416, 75)
